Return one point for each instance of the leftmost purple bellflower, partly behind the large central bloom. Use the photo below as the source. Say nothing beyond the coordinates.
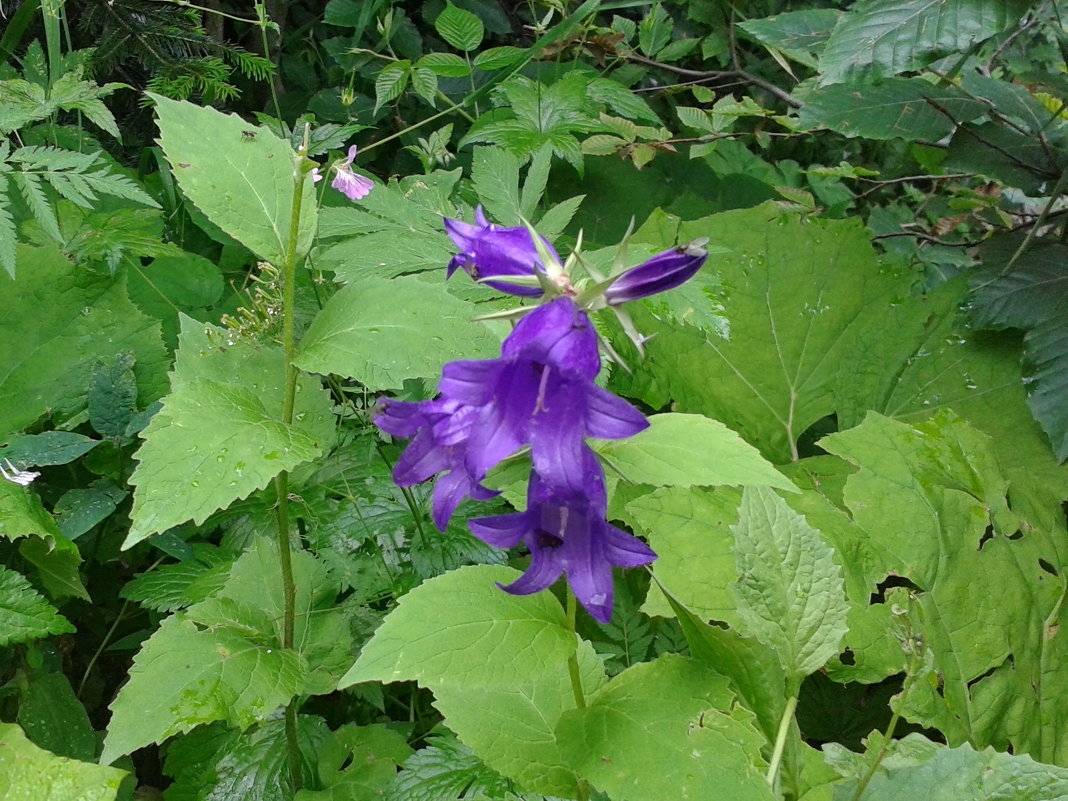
(441, 429)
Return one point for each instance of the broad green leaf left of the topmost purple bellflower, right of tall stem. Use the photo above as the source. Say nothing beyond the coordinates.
(382, 333)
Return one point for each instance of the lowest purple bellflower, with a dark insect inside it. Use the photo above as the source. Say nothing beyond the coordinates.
(567, 533)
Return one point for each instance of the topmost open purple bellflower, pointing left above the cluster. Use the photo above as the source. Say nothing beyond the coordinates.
(492, 252)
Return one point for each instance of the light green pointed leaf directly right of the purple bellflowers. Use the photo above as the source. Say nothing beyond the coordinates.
(689, 450)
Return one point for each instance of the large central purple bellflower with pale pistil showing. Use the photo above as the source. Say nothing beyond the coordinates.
(541, 392)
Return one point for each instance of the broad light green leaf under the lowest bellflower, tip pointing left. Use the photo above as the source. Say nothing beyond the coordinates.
(442, 632)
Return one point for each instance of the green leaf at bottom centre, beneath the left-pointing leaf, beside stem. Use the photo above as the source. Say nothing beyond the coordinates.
(512, 728)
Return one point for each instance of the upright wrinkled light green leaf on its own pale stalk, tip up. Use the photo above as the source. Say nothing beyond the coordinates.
(791, 594)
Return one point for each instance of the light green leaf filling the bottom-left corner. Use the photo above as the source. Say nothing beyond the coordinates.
(29, 774)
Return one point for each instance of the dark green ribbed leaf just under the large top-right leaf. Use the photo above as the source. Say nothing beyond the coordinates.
(897, 108)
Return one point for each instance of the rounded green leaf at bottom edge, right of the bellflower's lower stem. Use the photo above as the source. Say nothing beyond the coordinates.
(667, 729)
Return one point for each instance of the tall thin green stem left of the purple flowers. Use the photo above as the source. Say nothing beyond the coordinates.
(282, 481)
